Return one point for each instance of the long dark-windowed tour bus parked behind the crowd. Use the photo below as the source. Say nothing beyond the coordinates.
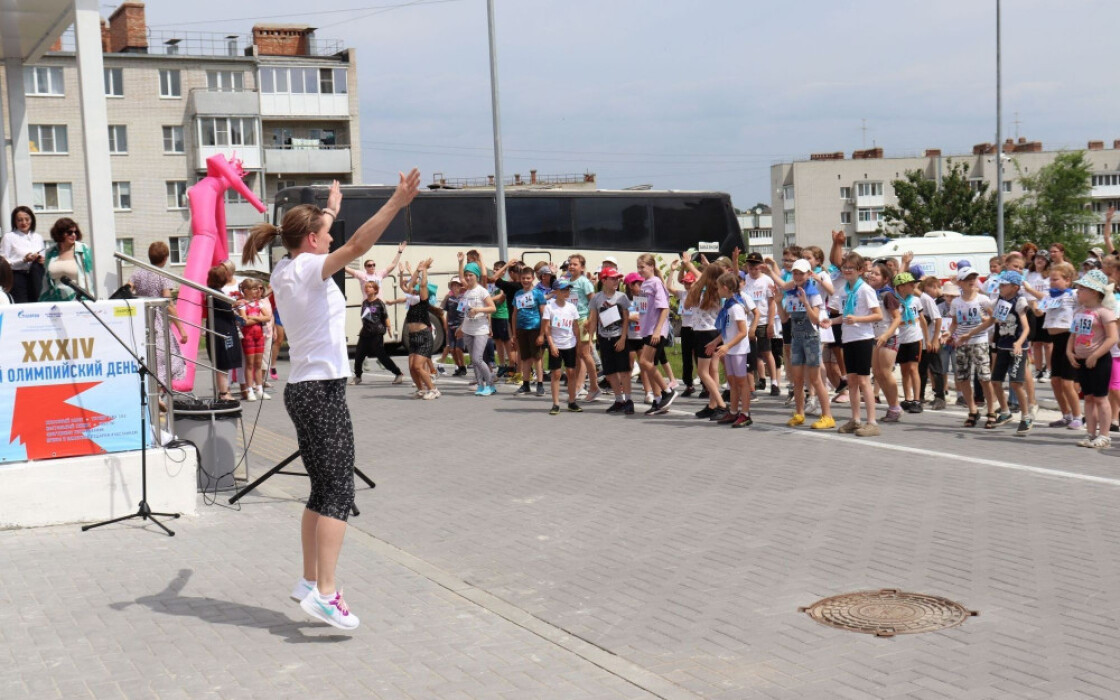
(542, 225)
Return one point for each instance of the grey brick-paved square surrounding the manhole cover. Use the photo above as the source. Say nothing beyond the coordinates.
(507, 554)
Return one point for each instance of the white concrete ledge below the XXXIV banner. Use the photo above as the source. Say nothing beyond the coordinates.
(96, 488)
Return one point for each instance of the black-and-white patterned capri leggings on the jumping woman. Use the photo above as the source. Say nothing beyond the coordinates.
(326, 443)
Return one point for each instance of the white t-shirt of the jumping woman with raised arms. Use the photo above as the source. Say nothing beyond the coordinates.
(314, 320)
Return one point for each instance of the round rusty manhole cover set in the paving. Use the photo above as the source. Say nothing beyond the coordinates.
(889, 612)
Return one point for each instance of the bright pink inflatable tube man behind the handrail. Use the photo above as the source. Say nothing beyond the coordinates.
(208, 247)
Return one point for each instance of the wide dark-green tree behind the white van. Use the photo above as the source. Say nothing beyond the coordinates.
(956, 207)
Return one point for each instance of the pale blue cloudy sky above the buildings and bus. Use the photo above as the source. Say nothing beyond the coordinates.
(701, 95)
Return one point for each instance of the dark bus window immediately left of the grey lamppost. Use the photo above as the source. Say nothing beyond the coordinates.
(453, 221)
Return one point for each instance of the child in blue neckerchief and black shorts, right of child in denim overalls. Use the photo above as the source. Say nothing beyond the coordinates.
(860, 311)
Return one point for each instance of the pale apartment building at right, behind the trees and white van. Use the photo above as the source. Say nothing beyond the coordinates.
(828, 193)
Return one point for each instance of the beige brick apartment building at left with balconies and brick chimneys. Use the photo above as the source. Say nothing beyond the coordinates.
(279, 99)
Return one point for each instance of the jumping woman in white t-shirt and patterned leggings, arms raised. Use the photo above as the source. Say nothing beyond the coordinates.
(315, 397)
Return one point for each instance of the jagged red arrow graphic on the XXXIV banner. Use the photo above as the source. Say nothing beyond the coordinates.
(50, 427)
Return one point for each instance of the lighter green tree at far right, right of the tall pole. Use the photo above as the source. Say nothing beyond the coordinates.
(1056, 207)
